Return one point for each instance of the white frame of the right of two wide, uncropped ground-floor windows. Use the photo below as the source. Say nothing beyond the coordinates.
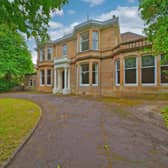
(155, 72)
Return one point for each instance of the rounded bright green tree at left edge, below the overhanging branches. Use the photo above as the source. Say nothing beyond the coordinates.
(15, 58)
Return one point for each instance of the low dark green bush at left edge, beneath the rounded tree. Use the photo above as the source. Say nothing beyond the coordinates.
(6, 85)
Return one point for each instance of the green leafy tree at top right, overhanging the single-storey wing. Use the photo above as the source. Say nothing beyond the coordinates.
(155, 15)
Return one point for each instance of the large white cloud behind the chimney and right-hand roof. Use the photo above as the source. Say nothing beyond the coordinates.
(128, 16)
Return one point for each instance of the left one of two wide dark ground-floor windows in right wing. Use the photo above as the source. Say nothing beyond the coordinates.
(130, 70)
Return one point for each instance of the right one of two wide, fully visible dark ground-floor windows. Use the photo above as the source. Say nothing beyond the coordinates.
(148, 70)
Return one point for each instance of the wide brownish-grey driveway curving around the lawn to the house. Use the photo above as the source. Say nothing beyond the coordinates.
(77, 132)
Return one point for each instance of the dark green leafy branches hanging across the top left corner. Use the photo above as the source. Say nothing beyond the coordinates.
(29, 16)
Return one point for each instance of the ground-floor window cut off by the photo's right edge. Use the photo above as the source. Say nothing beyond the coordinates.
(164, 70)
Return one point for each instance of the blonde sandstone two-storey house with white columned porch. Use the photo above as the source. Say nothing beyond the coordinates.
(97, 60)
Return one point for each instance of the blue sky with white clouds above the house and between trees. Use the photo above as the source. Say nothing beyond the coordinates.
(77, 11)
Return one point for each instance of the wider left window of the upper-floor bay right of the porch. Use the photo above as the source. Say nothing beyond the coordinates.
(84, 41)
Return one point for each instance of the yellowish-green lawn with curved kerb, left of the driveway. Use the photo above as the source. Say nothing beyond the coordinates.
(17, 118)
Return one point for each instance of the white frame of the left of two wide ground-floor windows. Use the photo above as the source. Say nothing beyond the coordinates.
(131, 84)
